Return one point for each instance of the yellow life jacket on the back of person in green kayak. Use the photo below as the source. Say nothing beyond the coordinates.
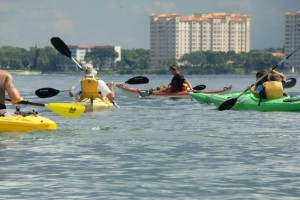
(273, 89)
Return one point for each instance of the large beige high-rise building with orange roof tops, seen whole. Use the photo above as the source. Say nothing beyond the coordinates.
(172, 36)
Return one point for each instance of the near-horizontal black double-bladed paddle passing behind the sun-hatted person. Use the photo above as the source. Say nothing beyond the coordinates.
(50, 92)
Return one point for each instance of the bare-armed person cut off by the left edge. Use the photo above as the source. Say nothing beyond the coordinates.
(6, 85)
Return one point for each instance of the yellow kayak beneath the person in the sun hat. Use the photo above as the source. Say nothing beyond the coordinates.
(94, 104)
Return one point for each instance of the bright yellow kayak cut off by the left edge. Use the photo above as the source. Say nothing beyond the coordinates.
(11, 122)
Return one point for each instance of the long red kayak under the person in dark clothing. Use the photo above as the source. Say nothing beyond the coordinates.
(137, 93)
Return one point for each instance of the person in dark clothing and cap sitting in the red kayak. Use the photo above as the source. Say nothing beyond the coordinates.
(178, 82)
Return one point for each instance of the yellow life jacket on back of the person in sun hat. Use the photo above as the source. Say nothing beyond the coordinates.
(89, 87)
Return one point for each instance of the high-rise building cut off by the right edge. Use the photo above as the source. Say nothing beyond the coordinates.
(292, 40)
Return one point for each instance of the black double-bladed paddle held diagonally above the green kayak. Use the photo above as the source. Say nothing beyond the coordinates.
(231, 102)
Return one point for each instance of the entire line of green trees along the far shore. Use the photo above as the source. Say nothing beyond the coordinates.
(138, 60)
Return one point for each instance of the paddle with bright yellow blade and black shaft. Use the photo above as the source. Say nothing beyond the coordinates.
(69, 110)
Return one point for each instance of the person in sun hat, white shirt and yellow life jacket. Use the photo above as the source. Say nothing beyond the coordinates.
(92, 86)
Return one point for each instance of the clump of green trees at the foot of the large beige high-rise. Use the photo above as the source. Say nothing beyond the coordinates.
(229, 62)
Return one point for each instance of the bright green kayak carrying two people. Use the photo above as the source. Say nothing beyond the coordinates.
(248, 101)
